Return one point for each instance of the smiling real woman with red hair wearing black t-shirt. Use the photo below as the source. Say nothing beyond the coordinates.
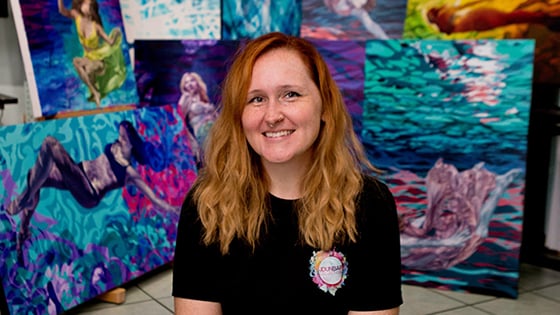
(286, 213)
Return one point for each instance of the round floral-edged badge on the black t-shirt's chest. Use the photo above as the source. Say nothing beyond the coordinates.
(328, 269)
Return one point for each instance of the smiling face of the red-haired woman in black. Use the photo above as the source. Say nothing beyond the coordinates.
(282, 116)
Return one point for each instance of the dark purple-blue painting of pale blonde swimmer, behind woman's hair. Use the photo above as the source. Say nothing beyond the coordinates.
(187, 74)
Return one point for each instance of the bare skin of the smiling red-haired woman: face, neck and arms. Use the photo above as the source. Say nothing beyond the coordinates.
(281, 120)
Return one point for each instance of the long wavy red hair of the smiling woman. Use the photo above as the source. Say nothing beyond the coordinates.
(231, 191)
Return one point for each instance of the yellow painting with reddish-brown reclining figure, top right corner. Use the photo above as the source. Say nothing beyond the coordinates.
(476, 19)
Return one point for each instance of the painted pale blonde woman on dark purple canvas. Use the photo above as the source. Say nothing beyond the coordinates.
(195, 106)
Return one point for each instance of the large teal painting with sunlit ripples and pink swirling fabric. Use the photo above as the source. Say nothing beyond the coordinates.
(447, 121)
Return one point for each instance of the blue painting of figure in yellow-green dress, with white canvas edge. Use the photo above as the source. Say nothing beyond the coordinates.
(74, 55)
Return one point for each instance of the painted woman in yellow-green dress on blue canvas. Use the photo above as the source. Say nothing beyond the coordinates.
(102, 67)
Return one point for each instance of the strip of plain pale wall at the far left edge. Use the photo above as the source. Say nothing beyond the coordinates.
(12, 74)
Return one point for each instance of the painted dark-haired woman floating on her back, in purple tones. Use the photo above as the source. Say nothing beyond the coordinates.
(88, 181)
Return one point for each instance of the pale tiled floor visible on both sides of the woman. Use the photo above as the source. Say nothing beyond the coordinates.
(539, 294)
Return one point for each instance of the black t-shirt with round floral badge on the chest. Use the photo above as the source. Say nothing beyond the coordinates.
(285, 275)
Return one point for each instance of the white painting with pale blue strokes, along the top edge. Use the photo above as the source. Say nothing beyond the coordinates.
(171, 19)
